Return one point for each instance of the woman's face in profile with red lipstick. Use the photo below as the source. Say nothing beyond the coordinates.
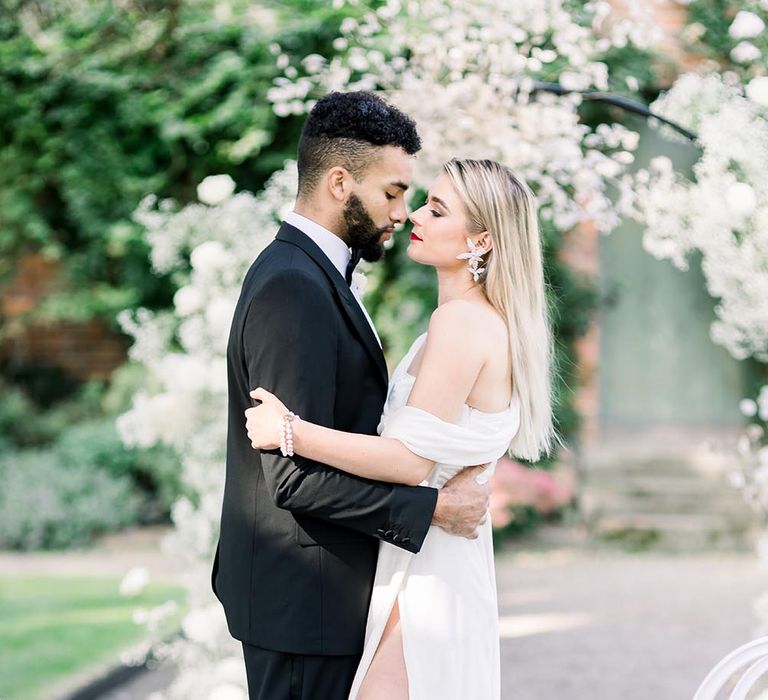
(440, 228)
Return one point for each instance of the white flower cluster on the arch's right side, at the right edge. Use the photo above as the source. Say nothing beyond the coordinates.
(723, 212)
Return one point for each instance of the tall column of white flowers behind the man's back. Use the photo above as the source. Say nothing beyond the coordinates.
(207, 248)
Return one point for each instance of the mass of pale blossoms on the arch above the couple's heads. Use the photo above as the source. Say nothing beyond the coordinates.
(465, 71)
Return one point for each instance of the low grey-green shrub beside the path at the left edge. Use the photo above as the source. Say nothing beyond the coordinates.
(44, 505)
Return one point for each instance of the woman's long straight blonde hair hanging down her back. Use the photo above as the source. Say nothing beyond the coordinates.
(500, 203)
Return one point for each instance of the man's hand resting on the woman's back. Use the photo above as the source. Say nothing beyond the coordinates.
(462, 503)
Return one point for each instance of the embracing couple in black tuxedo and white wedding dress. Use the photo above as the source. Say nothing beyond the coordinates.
(355, 557)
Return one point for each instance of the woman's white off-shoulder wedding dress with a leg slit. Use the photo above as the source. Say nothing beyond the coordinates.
(447, 592)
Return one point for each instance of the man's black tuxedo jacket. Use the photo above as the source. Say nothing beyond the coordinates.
(298, 543)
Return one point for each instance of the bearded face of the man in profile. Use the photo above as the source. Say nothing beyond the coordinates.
(376, 204)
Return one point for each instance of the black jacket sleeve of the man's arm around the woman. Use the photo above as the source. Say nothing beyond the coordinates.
(290, 338)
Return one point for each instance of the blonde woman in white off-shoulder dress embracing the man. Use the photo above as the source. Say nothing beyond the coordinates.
(475, 385)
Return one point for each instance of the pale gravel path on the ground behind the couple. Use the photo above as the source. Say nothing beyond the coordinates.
(576, 623)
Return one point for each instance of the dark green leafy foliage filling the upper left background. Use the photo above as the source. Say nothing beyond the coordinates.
(103, 103)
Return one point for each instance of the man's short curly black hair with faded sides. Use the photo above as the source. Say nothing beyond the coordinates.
(346, 128)
